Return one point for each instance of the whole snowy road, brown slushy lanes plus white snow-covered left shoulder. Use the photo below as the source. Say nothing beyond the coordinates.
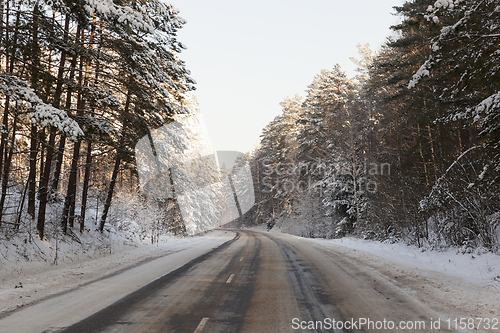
(255, 282)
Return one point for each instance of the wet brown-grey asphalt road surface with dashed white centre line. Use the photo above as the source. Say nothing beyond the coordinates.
(264, 282)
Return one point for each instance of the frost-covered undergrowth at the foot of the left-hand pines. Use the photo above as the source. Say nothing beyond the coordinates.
(133, 221)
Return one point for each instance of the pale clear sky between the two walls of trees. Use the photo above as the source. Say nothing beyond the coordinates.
(247, 56)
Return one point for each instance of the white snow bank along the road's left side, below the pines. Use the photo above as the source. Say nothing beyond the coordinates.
(29, 273)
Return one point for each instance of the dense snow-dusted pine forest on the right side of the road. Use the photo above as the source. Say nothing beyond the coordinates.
(408, 150)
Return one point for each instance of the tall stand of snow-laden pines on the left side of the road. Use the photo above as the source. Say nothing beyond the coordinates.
(80, 83)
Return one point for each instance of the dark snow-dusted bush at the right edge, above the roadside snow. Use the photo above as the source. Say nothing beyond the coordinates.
(462, 212)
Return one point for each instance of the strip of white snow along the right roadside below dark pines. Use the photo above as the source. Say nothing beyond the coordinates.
(479, 266)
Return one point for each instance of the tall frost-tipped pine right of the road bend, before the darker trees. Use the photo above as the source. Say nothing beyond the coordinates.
(327, 144)
